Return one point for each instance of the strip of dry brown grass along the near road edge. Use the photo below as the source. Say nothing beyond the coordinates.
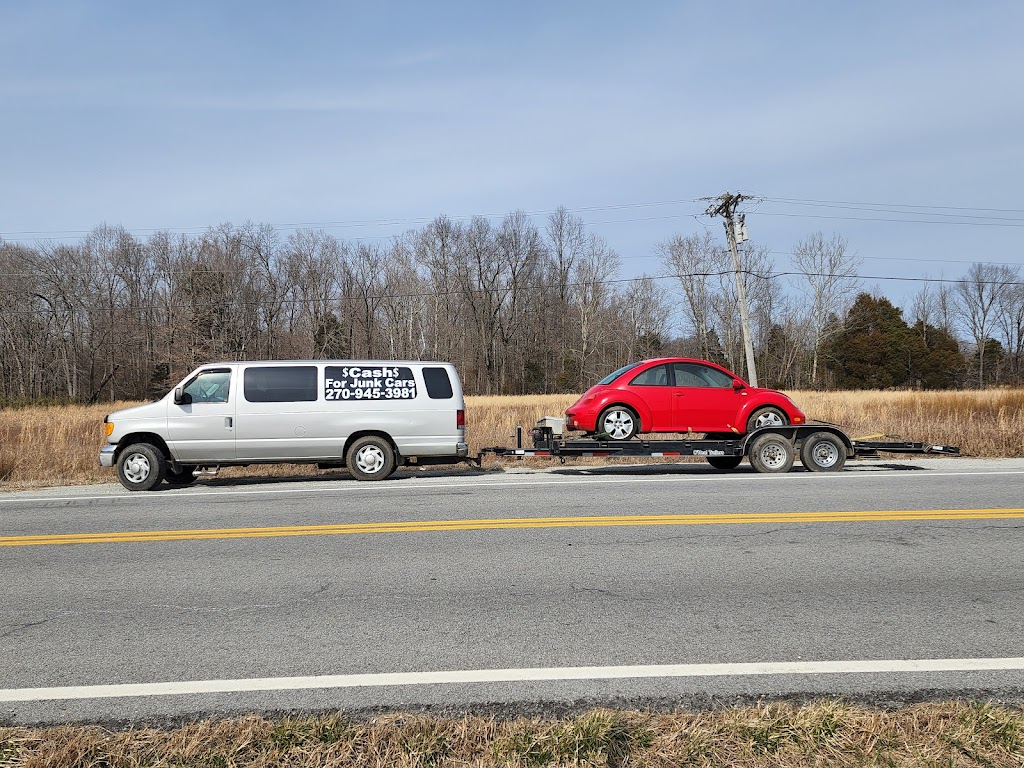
(823, 734)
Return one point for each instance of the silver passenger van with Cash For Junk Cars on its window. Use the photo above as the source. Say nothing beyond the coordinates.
(371, 416)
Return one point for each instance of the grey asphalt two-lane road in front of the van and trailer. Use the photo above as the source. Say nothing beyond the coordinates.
(298, 601)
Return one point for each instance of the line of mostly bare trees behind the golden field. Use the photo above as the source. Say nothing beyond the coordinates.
(518, 307)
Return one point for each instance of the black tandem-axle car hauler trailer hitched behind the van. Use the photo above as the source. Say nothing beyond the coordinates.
(821, 448)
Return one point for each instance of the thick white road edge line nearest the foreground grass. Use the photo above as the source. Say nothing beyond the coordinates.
(510, 675)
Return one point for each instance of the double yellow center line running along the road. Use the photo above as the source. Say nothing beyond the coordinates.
(513, 524)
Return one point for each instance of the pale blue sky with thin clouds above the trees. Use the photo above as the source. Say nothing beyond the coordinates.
(190, 114)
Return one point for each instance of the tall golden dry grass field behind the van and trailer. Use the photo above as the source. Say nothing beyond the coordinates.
(55, 446)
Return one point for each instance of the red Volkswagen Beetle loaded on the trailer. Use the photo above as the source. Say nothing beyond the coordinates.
(678, 395)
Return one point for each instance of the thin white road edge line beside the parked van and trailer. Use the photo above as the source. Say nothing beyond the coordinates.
(511, 485)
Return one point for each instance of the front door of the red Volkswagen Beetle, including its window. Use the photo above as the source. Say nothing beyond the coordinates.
(704, 400)
